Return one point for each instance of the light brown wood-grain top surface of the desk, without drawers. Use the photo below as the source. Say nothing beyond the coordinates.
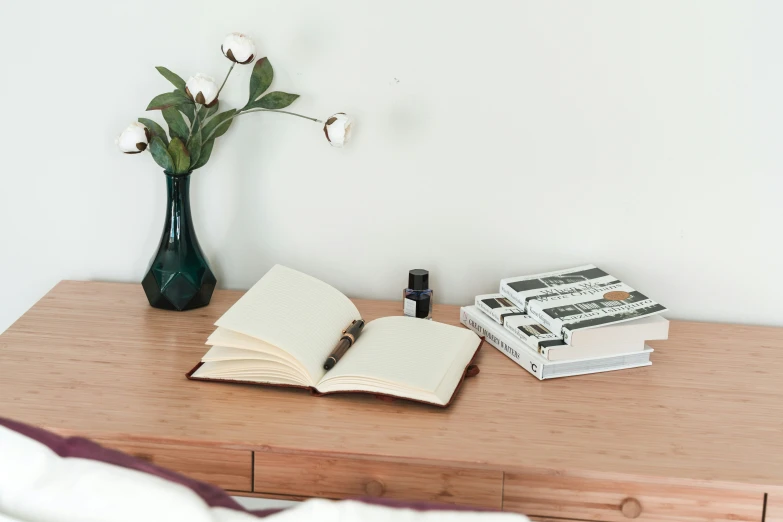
(94, 359)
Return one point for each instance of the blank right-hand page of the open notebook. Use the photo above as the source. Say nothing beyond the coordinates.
(415, 353)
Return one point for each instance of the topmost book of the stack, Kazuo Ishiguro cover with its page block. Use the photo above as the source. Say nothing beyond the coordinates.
(574, 301)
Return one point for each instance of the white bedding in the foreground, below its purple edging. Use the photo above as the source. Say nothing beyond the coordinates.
(37, 485)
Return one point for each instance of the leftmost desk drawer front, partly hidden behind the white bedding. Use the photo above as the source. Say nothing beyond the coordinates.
(229, 469)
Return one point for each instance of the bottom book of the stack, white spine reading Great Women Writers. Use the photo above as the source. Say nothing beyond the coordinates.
(534, 363)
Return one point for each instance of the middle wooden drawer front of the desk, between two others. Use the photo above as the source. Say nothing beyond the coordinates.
(298, 475)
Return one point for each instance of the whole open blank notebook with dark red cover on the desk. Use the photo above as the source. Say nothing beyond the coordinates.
(283, 329)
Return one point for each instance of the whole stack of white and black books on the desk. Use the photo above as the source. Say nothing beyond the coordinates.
(568, 322)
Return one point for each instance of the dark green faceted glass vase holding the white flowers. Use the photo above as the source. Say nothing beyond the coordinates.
(179, 277)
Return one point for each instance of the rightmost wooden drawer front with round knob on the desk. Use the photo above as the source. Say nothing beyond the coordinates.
(615, 498)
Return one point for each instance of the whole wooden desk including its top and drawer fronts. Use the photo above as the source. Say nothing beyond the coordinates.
(697, 436)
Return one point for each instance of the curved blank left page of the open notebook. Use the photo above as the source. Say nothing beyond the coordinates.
(273, 311)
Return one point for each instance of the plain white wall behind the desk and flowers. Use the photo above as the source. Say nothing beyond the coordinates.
(492, 139)
